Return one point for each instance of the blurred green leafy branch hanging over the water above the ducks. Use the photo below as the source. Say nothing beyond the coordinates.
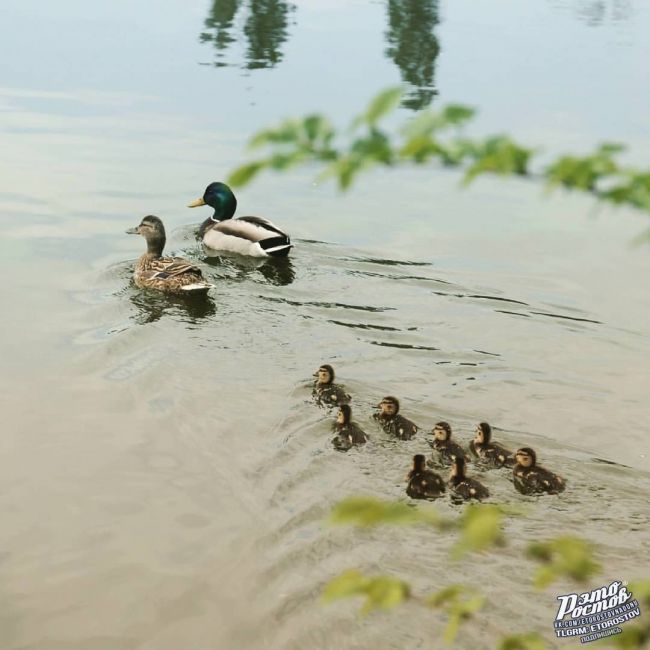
(436, 136)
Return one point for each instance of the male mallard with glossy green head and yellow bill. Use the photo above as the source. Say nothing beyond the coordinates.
(245, 235)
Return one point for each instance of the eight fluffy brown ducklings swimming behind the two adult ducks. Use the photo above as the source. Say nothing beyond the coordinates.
(424, 483)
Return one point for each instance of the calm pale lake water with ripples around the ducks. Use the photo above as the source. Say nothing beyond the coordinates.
(164, 478)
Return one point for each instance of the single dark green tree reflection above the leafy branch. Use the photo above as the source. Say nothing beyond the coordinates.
(413, 46)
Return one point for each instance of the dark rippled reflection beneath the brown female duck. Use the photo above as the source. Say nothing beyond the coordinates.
(151, 306)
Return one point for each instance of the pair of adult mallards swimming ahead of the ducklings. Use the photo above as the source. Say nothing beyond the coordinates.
(253, 236)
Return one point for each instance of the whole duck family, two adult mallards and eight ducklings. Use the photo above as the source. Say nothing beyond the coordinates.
(258, 237)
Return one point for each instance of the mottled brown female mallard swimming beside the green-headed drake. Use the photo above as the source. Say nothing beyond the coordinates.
(171, 274)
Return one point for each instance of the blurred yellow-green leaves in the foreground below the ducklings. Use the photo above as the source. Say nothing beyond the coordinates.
(479, 528)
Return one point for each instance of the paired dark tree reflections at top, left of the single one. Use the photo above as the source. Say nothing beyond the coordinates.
(265, 30)
